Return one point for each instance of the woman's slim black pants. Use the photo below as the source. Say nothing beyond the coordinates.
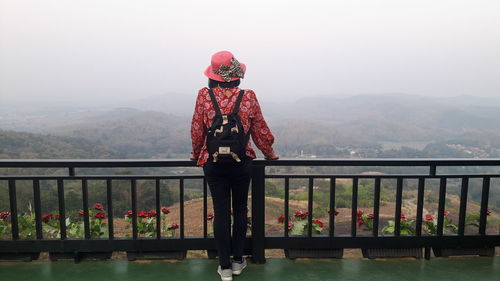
(228, 181)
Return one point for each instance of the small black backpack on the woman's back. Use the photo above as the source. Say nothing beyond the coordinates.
(226, 139)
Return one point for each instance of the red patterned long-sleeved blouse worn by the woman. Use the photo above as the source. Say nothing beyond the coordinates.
(251, 119)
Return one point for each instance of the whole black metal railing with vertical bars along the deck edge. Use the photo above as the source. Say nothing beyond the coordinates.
(258, 241)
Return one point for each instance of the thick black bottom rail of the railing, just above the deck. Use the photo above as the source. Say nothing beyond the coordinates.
(271, 242)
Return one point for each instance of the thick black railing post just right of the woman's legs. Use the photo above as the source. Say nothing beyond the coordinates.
(258, 208)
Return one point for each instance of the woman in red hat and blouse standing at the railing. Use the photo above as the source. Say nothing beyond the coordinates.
(225, 152)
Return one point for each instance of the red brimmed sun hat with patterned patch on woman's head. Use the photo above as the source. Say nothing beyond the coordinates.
(224, 67)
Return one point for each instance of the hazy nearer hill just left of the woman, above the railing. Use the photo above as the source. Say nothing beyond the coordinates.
(136, 134)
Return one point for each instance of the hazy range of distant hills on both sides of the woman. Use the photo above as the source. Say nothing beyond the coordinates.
(325, 126)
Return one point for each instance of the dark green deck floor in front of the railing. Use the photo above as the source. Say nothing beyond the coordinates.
(276, 269)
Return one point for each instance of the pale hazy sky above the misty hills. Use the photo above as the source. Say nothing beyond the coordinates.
(102, 50)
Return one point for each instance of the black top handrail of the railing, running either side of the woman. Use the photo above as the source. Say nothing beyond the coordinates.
(86, 163)
